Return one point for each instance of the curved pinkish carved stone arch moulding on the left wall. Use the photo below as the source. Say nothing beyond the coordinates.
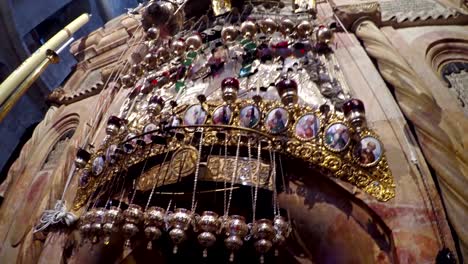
(55, 143)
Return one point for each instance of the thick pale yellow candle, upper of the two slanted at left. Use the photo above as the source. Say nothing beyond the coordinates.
(29, 65)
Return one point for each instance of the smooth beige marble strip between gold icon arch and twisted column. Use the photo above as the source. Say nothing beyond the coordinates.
(409, 214)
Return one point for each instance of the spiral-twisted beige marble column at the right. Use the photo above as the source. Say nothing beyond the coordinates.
(441, 136)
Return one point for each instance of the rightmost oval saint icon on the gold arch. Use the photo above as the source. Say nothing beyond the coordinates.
(368, 151)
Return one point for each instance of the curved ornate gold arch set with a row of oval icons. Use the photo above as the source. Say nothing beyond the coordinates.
(326, 140)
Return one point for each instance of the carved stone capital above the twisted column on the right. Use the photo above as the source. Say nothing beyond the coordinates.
(352, 14)
